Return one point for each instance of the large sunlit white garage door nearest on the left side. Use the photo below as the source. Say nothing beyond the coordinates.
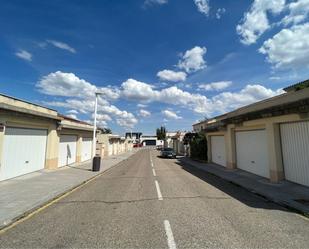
(23, 151)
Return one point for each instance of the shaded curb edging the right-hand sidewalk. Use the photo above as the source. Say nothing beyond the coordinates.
(286, 204)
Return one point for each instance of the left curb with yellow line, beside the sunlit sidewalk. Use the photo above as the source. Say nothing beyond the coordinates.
(40, 207)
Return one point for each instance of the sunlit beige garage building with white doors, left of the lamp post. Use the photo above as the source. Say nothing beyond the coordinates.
(33, 137)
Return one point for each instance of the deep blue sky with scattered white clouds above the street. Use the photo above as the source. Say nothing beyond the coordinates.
(155, 62)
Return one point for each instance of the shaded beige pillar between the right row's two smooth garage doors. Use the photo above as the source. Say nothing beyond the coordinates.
(230, 147)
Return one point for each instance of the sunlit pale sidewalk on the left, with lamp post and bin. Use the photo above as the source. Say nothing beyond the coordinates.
(21, 195)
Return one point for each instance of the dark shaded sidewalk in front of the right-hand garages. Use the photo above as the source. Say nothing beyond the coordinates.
(287, 194)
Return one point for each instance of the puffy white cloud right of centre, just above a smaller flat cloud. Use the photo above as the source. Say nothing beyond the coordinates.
(193, 60)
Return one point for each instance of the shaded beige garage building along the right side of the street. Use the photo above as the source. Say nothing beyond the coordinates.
(269, 138)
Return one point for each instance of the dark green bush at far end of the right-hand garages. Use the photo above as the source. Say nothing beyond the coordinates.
(198, 147)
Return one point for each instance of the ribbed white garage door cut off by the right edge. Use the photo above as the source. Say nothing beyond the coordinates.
(295, 151)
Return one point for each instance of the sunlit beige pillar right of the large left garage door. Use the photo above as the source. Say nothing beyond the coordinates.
(52, 148)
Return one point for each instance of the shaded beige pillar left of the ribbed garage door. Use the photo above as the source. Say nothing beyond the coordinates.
(274, 152)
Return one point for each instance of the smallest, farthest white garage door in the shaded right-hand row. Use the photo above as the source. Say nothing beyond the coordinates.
(218, 150)
